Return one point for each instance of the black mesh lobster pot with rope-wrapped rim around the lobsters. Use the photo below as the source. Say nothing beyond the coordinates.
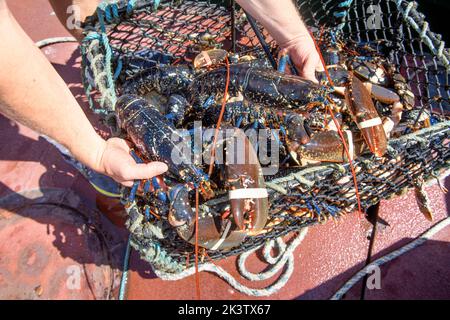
(127, 36)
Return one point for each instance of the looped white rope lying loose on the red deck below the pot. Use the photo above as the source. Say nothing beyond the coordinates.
(285, 258)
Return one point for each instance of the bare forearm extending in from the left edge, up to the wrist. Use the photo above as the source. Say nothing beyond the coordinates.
(32, 93)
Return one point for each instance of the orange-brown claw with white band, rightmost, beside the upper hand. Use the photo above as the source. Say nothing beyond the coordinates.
(366, 116)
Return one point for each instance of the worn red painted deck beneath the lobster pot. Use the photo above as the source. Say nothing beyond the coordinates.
(41, 248)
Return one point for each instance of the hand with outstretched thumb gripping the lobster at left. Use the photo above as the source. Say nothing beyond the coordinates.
(115, 161)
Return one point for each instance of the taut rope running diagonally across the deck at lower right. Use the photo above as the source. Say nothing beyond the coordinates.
(391, 256)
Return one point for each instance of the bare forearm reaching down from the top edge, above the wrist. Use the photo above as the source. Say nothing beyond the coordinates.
(280, 18)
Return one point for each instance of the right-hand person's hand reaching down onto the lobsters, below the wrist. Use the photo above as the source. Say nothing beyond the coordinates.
(304, 56)
